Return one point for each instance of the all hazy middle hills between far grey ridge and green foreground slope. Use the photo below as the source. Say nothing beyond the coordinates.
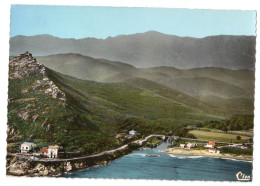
(231, 91)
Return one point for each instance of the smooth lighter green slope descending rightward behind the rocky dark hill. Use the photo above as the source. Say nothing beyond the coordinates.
(111, 102)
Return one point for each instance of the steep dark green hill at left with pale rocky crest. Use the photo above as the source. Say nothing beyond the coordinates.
(38, 111)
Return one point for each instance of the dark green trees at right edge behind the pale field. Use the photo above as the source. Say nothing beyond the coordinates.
(244, 122)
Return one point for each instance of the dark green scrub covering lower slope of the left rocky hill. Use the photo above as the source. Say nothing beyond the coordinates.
(44, 120)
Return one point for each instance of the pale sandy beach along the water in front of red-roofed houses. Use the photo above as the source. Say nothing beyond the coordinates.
(192, 152)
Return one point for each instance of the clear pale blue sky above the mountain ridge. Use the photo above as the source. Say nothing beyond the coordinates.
(101, 22)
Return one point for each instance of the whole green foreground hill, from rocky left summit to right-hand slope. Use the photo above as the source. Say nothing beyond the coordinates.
(84, 116)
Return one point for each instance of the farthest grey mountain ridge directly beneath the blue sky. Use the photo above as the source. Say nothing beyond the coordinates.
(149, 49)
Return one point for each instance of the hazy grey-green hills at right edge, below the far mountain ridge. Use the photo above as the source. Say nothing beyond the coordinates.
(219, 82)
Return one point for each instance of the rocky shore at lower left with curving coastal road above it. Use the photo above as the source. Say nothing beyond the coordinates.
(18, 165)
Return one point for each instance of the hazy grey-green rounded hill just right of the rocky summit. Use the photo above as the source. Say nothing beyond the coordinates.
(84, 67)
